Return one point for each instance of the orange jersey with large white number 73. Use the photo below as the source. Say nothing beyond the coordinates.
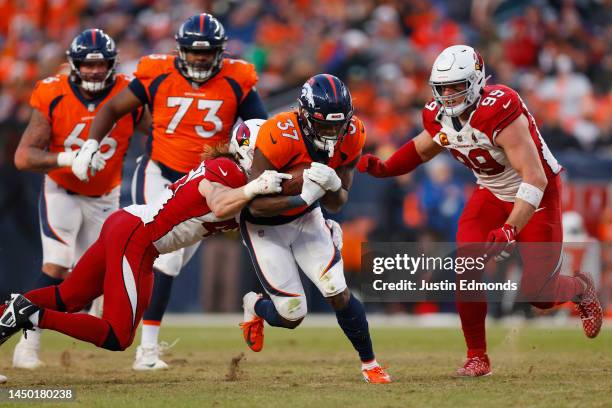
(187, 117)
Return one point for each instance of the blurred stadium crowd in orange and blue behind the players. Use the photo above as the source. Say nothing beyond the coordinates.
(555, 53)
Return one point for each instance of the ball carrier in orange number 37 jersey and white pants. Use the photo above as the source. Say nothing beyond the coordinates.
(284, 233)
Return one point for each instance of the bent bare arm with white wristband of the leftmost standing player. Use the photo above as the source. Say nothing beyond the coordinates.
(32, 151)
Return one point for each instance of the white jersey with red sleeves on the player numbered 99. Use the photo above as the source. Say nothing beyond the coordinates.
(473, 143)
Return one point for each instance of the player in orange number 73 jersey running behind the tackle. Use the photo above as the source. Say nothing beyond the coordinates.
(194, 99)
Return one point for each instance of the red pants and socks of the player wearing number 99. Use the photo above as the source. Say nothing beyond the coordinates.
(541, 279)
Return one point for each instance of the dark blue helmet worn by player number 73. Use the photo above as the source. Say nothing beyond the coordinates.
(201, 33)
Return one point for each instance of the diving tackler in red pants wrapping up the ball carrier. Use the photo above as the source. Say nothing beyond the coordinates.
(120, 263)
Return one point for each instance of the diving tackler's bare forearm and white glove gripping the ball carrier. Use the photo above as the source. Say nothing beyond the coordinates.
(225, 202)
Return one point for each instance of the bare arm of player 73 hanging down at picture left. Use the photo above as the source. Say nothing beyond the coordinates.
(117, 107)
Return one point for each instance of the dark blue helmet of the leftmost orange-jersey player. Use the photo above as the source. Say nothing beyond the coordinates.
(92, 45)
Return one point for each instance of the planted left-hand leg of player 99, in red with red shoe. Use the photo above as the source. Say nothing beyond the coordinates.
(483, 213)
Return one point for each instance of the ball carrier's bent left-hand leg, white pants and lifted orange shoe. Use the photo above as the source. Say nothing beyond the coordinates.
(275, 267)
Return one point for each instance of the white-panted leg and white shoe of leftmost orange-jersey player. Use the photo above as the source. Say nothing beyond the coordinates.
(60, 221)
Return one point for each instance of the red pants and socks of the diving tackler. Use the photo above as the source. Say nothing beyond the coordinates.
(119, 265)
